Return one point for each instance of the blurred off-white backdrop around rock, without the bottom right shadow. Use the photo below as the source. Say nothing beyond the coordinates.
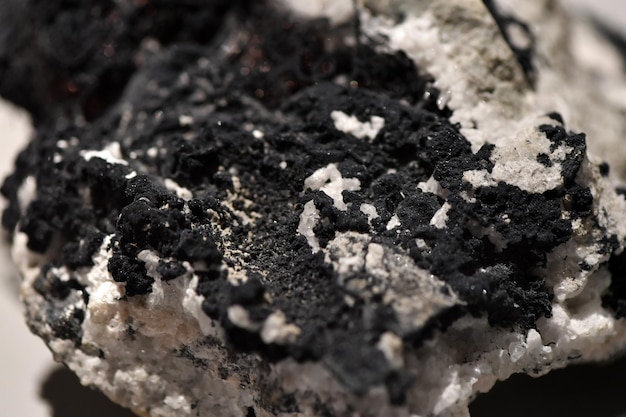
(27, 371)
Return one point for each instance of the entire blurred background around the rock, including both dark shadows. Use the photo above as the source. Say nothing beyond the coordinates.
(32, 385)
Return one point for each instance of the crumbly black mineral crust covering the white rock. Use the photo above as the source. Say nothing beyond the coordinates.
(242, 127)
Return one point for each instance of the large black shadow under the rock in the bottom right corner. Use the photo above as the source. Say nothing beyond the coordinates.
(590, 390)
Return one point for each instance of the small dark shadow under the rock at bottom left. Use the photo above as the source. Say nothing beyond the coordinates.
(62, 390)
